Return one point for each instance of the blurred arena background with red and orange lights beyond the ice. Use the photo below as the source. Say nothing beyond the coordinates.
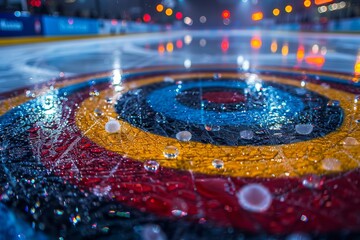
(113, 15)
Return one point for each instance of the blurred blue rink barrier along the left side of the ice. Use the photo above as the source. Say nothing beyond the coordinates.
(23, 25)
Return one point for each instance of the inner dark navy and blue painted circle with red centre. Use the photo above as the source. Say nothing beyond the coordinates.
(233, 106)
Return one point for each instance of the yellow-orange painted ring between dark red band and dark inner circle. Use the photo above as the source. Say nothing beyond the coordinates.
(295, 159)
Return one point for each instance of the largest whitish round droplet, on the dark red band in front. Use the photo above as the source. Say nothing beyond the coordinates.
(254, 197)
